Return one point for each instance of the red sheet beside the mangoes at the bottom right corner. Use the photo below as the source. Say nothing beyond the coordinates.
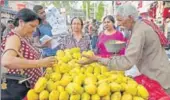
(156, 92)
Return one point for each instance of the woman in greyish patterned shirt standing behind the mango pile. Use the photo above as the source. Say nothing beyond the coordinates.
(76, 38)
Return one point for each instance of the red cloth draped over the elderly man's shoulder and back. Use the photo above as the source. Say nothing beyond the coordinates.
(160, 34)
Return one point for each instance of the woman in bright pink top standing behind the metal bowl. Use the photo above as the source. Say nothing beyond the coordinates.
(110, 33)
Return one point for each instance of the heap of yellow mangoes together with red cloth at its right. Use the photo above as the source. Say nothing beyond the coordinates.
(68, 80)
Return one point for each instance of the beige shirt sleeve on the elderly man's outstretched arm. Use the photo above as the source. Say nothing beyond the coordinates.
(132, 55)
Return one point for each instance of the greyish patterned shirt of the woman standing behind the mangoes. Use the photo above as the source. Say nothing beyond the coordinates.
(70, 42)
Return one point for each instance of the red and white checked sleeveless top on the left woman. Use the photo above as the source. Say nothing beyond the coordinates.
(28, 52)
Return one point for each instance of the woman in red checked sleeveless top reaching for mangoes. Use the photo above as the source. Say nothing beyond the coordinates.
(19, 56)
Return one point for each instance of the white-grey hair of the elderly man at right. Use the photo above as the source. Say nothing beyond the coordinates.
(126, 10)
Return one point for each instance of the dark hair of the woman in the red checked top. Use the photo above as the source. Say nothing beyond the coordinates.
(26, 15)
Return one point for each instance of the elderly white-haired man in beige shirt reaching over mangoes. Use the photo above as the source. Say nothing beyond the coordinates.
(145, 48)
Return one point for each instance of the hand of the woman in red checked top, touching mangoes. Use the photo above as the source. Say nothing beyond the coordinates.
(47, 62)
